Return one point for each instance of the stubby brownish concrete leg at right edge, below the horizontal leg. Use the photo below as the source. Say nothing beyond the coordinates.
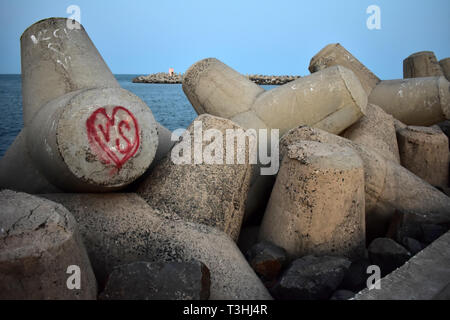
(424, 152)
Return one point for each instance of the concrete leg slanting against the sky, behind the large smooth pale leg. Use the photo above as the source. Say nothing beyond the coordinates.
(335, 54)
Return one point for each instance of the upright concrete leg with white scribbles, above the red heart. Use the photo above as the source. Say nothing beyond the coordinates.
(57, 60)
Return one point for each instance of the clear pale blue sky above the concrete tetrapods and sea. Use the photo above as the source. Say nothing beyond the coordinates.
(265, 37)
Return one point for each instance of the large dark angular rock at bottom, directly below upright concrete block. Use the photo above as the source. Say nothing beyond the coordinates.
(311, 278)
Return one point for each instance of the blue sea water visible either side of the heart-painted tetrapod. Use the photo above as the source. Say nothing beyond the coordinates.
(169, 105)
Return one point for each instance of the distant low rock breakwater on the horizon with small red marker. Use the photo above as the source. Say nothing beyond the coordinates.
(163, 77)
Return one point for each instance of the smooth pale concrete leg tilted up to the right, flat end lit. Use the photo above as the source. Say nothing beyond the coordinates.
(332, 99)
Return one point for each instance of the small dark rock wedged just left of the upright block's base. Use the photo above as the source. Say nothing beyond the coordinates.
(266, 259)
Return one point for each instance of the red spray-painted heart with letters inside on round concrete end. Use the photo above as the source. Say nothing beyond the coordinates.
(99, 128)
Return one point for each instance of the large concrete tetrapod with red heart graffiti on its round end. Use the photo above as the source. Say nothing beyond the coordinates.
(80, 122)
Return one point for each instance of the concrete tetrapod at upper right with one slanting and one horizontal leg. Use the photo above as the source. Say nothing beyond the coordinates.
(419, 101)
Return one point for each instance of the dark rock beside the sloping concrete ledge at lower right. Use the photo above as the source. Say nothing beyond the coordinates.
(387, 254)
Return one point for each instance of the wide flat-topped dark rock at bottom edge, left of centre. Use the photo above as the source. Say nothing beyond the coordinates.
(158, 281)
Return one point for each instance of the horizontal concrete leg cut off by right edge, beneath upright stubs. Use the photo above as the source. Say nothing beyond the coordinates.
(419, 101)
